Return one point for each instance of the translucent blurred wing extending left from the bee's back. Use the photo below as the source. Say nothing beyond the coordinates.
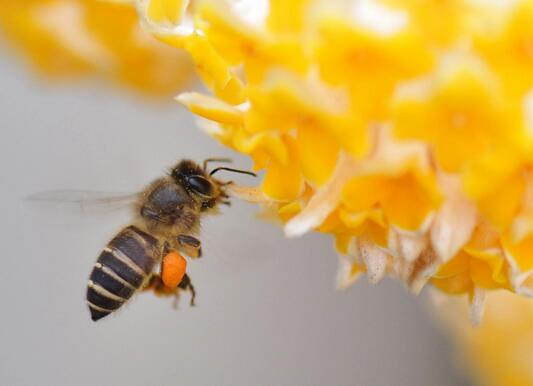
(84, 199)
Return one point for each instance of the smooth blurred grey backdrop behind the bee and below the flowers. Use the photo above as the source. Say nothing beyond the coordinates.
(267, 313)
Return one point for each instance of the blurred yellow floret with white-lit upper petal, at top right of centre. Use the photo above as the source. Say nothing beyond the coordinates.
(369, 59)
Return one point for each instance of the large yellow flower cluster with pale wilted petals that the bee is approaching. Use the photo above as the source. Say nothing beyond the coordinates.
(402, 128)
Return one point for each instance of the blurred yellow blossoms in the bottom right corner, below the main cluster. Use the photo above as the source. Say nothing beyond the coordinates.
(500, 350)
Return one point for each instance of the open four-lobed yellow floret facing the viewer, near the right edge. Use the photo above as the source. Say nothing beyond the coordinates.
(460, 115)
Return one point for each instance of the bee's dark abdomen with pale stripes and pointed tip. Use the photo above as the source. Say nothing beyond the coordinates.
(120, 270)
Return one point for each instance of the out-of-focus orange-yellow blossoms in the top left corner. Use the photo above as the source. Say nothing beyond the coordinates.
(80, 37)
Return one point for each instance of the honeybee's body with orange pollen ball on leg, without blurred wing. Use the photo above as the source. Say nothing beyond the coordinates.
(167, 220)
